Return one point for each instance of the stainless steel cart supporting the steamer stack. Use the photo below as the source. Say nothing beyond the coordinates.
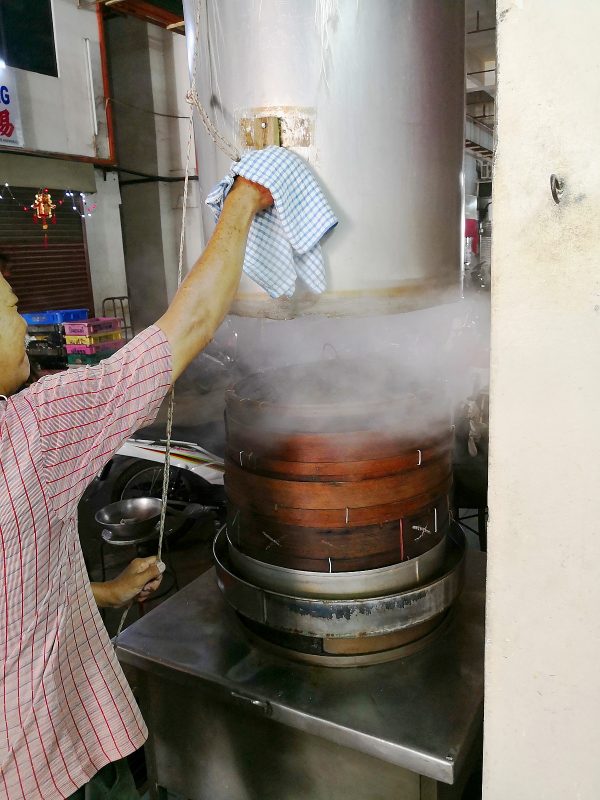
(230, 722)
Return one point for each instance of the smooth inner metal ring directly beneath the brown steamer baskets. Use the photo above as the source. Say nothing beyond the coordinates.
(340, 585)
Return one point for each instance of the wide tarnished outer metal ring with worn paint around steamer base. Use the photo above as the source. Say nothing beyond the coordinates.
(343, 618)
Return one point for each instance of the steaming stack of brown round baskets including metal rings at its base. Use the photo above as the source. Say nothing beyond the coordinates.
(337, 480)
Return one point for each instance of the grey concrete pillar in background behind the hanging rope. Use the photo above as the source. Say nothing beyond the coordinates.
(149, 73)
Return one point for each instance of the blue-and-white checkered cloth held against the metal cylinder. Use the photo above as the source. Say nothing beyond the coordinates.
(283, 241)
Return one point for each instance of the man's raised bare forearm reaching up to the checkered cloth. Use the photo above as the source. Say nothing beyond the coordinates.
(205, 295)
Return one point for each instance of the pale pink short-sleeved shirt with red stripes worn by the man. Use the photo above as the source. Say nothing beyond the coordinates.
(65, 707)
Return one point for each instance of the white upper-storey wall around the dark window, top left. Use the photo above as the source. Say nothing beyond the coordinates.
(56, 113)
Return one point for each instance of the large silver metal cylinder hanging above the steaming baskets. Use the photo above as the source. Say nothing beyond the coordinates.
(372, 96)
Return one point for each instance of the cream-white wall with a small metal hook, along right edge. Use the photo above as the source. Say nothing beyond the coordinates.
(542, 715)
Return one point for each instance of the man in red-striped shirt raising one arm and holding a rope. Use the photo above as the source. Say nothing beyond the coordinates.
(65, 708)
